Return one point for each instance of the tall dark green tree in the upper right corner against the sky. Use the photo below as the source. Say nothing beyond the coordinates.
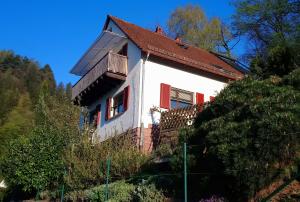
(273, 30)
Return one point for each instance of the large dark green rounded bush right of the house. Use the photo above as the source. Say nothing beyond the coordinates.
(250, 133)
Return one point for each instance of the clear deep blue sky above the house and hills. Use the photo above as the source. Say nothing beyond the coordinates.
(57, 32)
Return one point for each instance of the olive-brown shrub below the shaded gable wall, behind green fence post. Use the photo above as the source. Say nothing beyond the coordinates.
(87, 160)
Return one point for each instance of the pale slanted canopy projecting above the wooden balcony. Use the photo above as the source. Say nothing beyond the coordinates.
(107, 41)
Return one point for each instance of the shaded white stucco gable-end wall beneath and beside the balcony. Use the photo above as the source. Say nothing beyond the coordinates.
(129, 119)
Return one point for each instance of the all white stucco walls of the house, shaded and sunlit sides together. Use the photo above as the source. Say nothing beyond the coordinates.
(154, 75)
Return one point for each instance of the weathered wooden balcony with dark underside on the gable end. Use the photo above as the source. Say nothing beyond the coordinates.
(108, 72)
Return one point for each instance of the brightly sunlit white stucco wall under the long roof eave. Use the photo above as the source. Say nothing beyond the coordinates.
(155, 74)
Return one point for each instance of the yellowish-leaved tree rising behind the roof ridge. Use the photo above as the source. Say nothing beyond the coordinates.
(191, 24)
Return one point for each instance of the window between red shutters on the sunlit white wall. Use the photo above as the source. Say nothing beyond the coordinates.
(180, 98)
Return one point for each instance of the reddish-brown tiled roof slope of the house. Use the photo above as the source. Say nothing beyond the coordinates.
(167, 48)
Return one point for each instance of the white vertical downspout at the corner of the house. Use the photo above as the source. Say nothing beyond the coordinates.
(142, 100)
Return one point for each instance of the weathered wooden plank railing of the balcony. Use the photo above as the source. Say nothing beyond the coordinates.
(111, 62)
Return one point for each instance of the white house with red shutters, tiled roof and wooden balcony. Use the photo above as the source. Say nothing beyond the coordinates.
(129, 69)
